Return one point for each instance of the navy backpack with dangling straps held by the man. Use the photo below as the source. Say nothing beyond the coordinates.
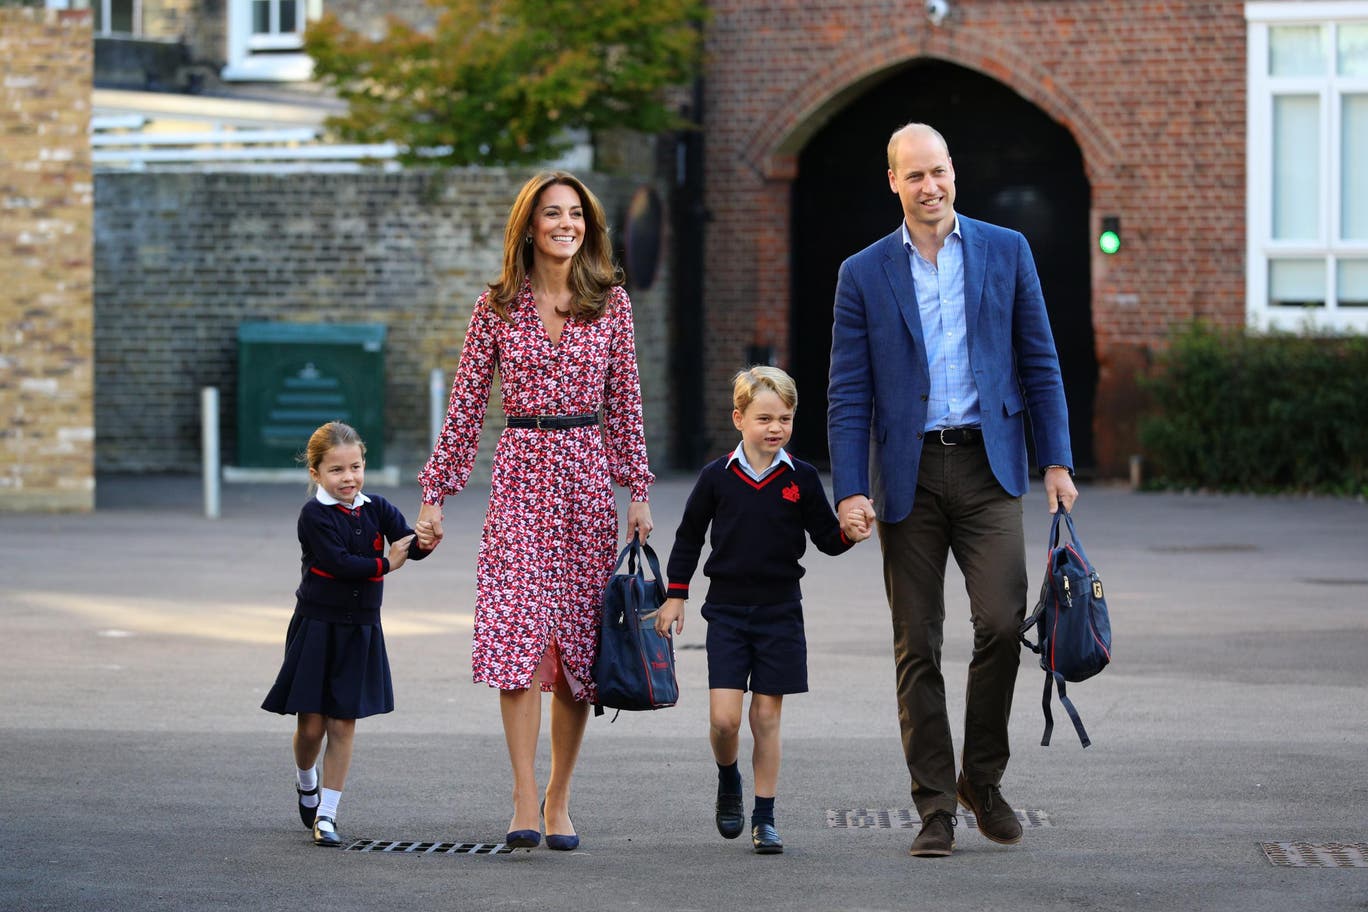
(1073, 630)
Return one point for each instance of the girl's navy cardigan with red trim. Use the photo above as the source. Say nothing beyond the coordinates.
(345, 560)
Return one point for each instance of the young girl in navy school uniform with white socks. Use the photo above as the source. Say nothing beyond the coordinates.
(336, 669)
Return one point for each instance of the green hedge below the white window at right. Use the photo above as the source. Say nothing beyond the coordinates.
(1247, 412)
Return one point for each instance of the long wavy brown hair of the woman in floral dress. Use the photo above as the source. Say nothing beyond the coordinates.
(593, 271)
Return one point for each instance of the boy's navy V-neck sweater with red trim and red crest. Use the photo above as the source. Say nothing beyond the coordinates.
(759, 533)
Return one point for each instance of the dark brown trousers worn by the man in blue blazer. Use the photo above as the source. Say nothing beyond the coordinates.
(960, 509)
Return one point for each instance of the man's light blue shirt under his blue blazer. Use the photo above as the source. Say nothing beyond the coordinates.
(953, 401)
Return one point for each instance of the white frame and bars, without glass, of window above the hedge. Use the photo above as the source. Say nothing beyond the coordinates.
(1261, 91)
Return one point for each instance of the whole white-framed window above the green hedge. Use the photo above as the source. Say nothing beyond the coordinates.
(1307, 161)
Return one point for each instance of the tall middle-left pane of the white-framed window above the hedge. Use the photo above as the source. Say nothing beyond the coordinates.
(1298, 167)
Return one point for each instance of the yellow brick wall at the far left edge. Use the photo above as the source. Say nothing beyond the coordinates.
(47, 333)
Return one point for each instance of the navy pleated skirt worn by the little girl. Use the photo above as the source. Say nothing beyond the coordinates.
(337, 669)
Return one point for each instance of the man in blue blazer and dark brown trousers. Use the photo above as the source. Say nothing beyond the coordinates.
(940, 348)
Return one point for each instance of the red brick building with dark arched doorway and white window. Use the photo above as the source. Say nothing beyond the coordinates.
(1229, 139)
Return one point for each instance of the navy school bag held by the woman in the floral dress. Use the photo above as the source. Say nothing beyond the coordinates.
(635, 665)
